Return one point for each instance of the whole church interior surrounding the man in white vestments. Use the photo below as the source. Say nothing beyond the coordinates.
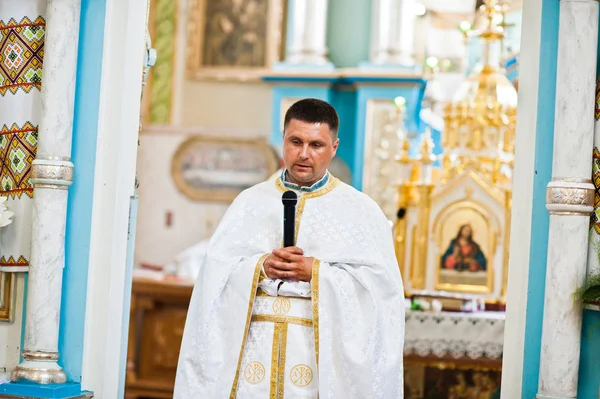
(473, 124)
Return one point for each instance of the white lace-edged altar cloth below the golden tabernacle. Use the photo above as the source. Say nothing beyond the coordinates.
(458, 335)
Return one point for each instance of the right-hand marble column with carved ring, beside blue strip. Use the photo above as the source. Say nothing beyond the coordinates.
(569, 198)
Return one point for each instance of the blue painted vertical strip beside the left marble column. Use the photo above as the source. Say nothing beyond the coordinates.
(79, 209)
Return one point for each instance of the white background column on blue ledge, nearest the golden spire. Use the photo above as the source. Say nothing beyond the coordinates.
(392, 33)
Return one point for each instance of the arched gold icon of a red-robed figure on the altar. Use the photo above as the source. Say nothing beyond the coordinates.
(466, 240)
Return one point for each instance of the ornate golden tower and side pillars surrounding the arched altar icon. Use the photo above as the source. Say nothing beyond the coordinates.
(478, 135)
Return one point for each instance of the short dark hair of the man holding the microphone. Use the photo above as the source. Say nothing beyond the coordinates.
(312, 110)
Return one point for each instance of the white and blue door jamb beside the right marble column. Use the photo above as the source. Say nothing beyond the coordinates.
(530, 219)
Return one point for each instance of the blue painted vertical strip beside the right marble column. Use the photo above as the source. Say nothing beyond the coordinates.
(540, 218)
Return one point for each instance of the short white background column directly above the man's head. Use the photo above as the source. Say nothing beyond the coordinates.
(308, 45)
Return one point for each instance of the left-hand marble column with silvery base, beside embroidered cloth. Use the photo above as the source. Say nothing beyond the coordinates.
(52, 174)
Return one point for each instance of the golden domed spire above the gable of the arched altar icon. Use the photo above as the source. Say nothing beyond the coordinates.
(479, 131)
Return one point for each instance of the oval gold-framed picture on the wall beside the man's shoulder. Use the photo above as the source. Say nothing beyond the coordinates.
(214, 169)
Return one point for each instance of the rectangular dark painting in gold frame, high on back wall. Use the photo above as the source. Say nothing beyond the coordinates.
(234, 39)
